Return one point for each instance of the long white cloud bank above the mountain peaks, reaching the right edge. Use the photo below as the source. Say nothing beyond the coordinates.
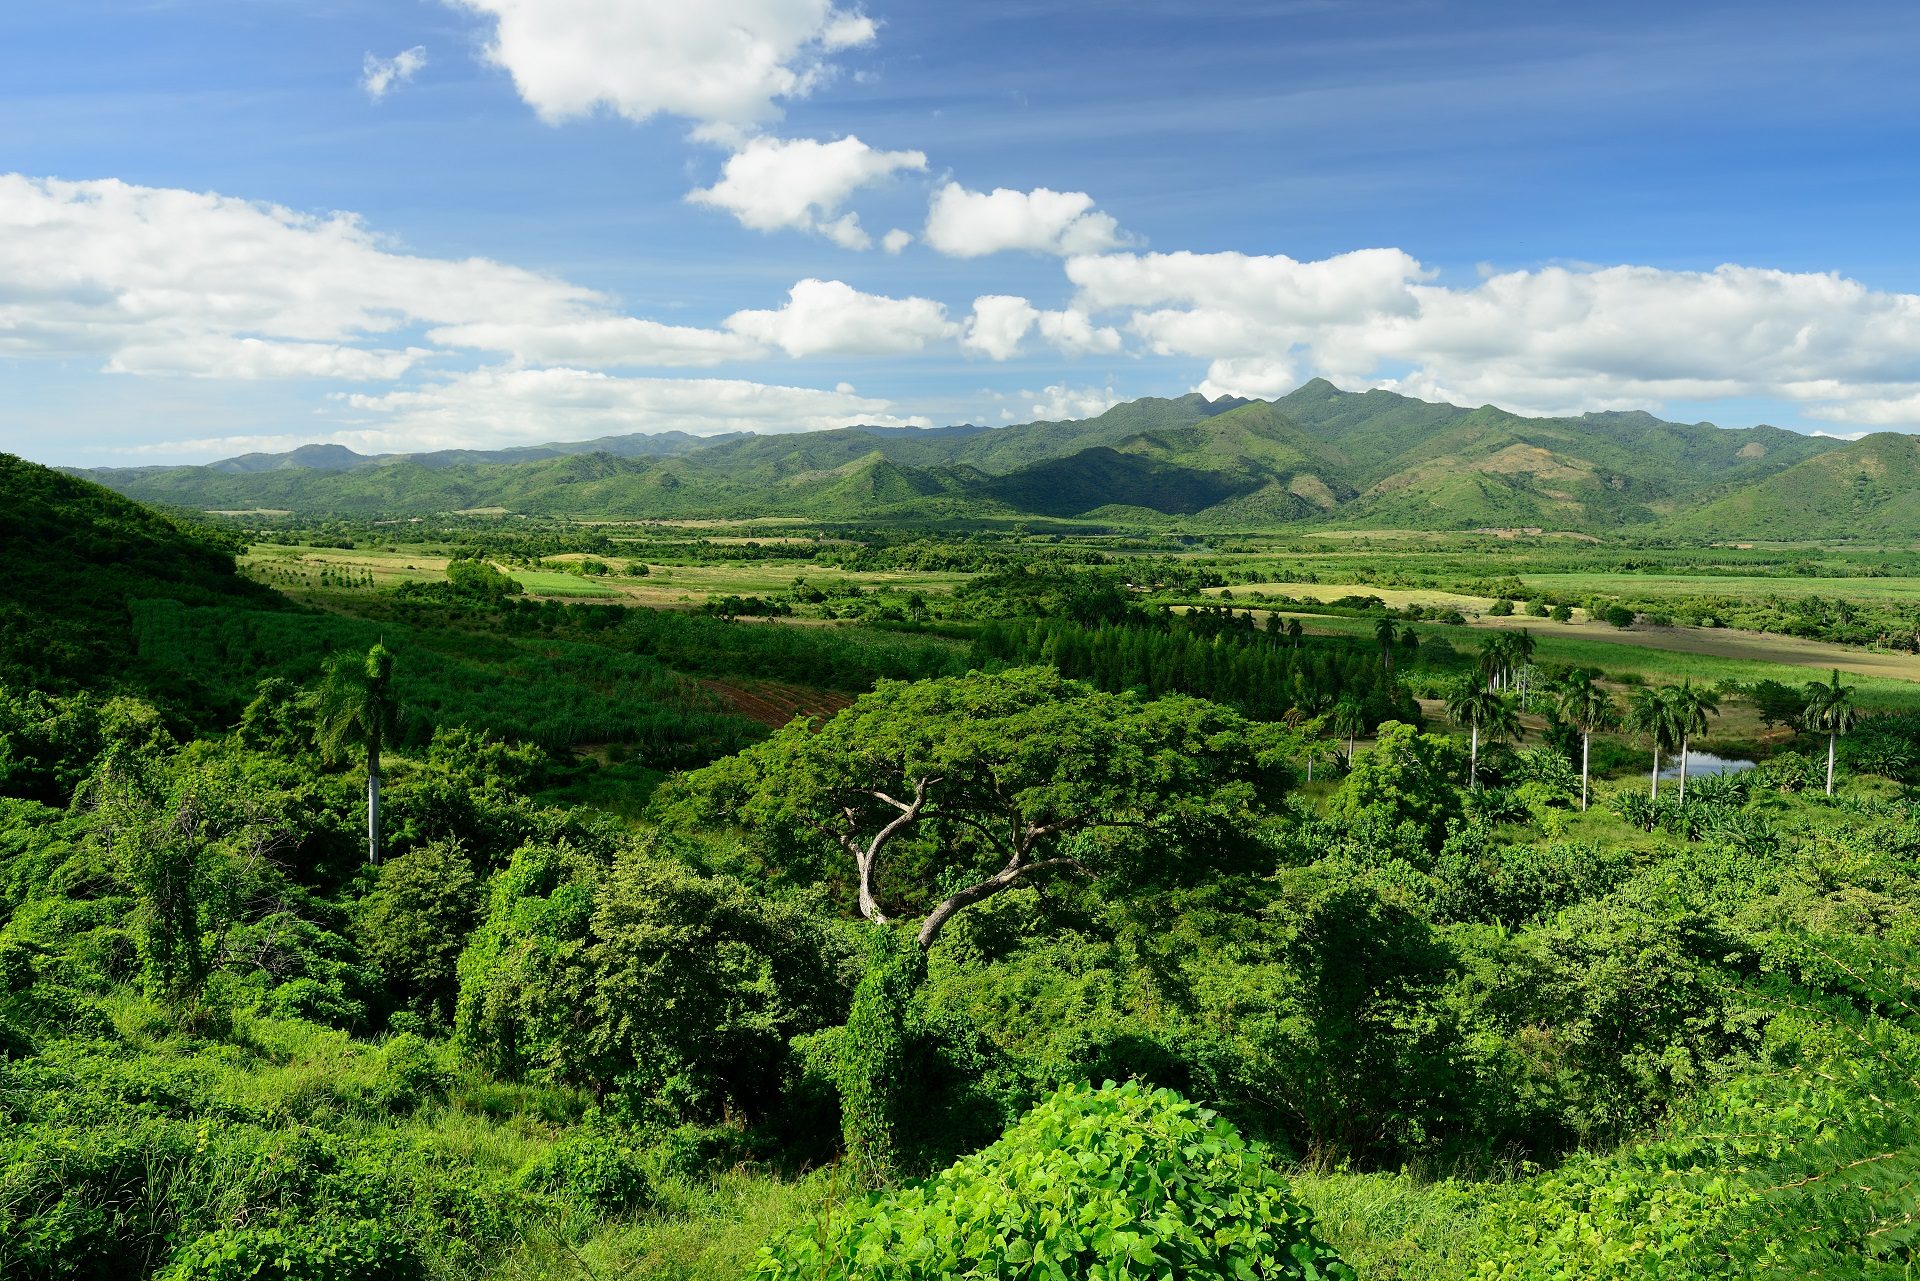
(1550, 341)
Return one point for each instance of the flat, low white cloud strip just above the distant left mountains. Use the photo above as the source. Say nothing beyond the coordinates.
(527, 406)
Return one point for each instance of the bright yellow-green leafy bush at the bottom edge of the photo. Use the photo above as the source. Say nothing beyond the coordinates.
(1090, 1184)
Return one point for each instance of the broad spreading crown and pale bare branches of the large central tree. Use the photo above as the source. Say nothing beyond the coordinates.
(997, 781)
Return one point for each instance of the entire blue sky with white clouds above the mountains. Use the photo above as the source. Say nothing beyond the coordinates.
(233, 226)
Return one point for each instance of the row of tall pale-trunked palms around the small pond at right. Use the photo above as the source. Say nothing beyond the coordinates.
(1666, 717)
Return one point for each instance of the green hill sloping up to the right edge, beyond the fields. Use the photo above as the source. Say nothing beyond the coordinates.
(1867, 489)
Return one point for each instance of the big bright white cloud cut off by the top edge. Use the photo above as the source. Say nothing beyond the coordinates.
(719, 62)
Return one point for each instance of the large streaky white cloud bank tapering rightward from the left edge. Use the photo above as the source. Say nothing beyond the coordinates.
(181, 283)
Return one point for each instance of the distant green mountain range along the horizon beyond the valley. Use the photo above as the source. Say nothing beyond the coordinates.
(1358, 460)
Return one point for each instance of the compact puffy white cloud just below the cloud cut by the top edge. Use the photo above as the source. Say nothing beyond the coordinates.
(802, 185)
